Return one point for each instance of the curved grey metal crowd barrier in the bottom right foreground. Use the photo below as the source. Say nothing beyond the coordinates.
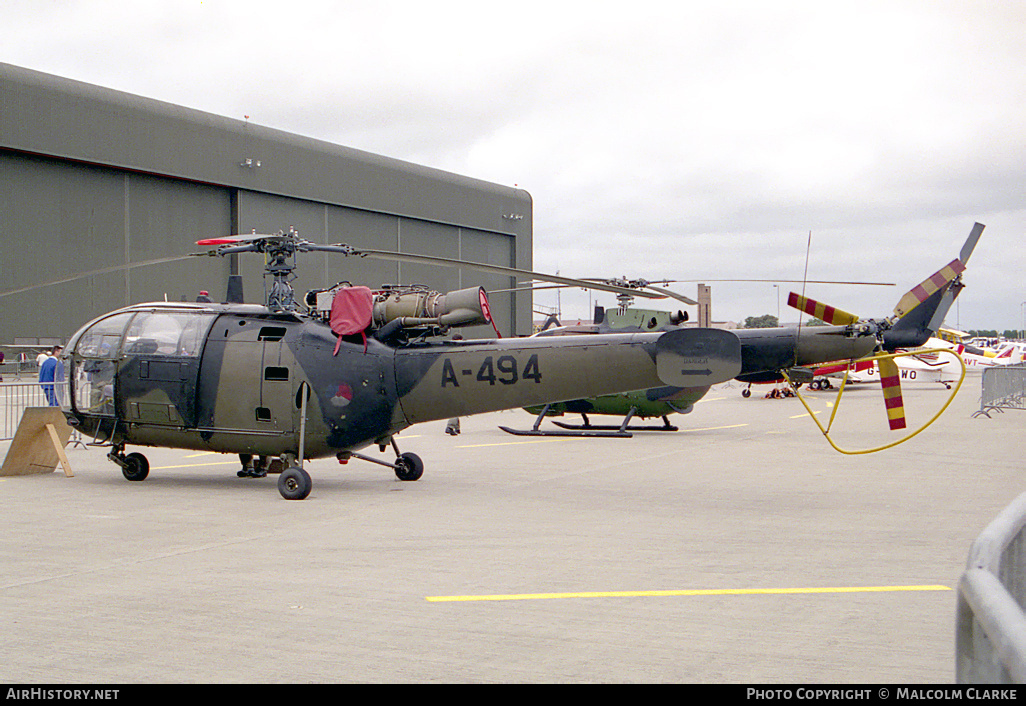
(991, 625)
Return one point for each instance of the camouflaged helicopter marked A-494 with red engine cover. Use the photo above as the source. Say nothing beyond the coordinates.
(351, 368)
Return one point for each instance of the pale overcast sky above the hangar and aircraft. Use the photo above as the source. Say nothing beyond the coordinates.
(689, 141)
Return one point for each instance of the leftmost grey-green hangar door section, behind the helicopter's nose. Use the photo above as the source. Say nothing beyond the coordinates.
(69, 219)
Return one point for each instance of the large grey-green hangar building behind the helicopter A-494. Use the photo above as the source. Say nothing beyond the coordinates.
(96, 180)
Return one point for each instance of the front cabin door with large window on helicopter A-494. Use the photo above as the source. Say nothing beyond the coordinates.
(161, 367)
